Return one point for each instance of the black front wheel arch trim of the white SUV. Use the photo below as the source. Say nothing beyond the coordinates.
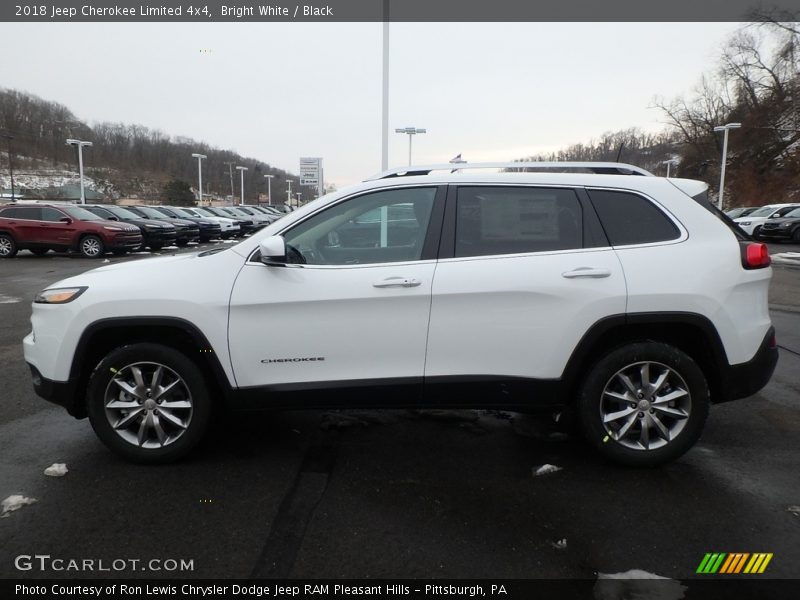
(103, 336)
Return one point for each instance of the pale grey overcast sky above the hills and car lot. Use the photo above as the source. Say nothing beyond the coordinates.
(487, 91)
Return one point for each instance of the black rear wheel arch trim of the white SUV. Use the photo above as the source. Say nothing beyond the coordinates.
(692, 333)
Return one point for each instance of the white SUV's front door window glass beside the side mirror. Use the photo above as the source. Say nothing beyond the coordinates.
(379, 227)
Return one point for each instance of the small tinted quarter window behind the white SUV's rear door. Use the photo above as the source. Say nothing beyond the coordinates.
(631, 219)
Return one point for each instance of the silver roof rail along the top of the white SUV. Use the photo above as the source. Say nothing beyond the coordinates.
(604, 168)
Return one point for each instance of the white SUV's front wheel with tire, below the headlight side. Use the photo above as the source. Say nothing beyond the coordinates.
(148, 403)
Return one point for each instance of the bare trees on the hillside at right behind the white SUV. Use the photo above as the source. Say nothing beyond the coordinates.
(756, 83)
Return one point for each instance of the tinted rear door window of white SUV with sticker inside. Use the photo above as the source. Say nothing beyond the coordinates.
(514, 220)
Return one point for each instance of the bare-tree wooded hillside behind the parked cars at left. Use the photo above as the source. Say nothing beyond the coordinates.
(135, 159)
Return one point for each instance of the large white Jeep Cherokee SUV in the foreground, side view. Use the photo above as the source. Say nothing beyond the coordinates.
(619, 297)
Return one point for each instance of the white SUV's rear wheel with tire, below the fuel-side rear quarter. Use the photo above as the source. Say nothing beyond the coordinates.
(644, 404)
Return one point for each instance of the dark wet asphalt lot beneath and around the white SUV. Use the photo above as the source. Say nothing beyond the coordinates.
(395, 493)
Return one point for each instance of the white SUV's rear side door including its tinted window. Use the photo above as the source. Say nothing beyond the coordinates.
(524, 272)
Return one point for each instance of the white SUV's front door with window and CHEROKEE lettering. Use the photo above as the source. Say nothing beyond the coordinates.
(350, 313)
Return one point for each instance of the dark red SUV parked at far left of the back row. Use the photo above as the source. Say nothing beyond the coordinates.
(43, 227)
